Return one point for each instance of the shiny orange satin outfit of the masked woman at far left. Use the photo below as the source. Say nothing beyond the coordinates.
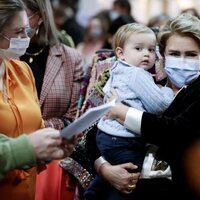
(20, 113)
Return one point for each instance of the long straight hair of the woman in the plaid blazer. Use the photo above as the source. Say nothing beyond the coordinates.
(48, 33)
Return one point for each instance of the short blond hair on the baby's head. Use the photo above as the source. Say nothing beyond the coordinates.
(124, 32)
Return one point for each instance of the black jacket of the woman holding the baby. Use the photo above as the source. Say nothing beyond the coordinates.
(174, 130)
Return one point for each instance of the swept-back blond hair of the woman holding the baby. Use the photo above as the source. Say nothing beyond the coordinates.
(184, 25)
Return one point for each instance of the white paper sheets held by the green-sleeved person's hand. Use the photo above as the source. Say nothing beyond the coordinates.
(86, 120)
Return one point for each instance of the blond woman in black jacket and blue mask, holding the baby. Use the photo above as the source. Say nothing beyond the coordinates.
(176, 132)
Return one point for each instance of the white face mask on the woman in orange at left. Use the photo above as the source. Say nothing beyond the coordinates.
(16, 48)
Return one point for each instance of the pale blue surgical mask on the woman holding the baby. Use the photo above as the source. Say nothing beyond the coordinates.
(181, 71)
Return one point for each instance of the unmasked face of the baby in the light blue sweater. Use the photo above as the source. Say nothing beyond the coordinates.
(139, 50)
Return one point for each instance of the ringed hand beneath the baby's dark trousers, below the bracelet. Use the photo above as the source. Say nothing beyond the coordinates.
(119, 176)
